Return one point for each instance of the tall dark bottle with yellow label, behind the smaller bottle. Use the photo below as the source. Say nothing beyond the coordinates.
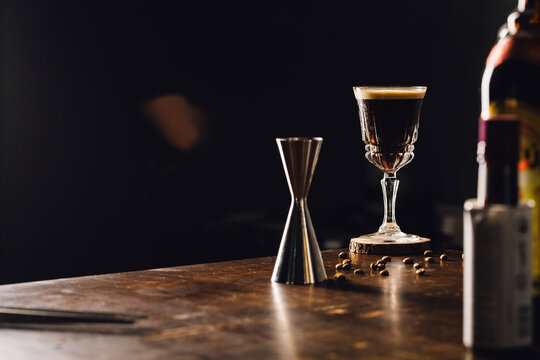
(511, 85)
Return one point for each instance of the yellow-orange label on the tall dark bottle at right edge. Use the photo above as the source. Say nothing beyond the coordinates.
(529, 165)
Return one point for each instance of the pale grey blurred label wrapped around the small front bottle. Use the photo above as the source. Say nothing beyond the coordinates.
(497, 302)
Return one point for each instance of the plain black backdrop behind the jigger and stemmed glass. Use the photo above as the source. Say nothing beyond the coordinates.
(88, 186)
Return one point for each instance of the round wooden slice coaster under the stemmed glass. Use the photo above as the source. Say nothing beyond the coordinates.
(365, 246)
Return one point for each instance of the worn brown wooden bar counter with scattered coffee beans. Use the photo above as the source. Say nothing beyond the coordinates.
(231, 310)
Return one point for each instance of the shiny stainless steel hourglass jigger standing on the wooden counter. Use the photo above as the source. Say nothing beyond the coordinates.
(299, 260)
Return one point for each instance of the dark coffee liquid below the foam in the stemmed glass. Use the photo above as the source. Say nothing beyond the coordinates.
(390, 127)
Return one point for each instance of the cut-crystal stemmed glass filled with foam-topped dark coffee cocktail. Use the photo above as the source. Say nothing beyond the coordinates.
(389, 118)
